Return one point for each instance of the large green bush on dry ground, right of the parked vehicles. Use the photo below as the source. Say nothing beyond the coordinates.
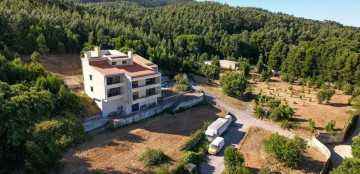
(289, 151)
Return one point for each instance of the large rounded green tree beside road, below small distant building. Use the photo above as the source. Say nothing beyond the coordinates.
(234, 84)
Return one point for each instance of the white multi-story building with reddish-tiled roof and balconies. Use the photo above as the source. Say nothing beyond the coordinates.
(120, 83)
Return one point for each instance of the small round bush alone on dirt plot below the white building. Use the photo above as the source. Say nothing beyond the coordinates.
(152, 157)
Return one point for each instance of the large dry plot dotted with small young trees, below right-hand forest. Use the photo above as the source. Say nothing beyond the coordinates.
(304, 108)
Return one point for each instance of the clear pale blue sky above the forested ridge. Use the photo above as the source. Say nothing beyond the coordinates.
(346, 12)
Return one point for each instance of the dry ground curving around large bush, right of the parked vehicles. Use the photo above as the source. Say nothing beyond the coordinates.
(256, 158)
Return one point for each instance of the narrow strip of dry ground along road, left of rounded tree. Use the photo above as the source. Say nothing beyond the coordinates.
(214, 88)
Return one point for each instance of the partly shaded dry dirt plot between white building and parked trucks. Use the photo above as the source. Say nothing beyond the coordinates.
(120, 151)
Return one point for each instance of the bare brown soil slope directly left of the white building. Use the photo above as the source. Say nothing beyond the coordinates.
(62, 64)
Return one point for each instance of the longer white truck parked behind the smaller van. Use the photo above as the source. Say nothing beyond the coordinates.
(218, 127)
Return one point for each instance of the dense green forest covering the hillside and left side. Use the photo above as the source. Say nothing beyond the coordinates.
(177, 37)
